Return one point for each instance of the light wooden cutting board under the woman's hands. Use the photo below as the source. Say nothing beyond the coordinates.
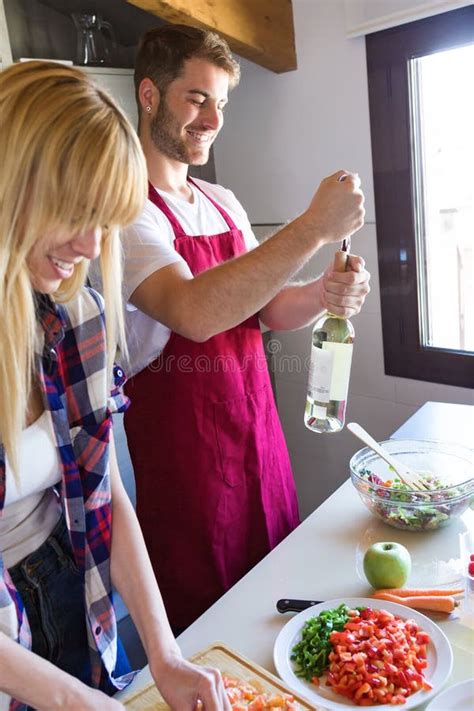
(230, 663)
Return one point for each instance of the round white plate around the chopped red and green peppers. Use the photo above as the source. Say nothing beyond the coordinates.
(439, 655)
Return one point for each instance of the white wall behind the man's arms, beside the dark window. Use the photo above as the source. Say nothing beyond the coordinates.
(283, 134)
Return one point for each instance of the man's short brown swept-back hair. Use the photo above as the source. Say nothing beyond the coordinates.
(163, 51)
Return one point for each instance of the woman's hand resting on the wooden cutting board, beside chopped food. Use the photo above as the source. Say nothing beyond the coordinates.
(183, 685)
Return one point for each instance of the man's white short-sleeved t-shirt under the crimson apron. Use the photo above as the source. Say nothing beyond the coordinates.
(148, 246)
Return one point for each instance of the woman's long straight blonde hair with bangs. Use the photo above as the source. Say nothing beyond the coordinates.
(70, 161)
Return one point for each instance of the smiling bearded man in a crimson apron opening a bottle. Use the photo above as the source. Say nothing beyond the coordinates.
(214, 486)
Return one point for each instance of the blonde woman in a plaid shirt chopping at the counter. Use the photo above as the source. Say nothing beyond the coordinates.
(72, 174)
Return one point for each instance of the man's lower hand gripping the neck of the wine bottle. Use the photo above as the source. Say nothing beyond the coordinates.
(343, 293)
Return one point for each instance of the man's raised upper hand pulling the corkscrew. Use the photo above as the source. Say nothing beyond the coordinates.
(337, 209)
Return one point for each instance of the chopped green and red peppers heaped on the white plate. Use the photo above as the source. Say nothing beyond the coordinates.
(369, 656)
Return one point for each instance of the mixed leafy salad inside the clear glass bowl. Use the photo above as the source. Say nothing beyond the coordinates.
(398, 505)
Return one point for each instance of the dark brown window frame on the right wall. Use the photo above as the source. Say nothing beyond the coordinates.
(388, 53)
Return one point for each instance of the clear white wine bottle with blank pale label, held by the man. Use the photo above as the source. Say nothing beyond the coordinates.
(330, 367)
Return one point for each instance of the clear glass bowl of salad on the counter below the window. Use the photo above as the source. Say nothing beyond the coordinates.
(448, 470)
